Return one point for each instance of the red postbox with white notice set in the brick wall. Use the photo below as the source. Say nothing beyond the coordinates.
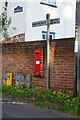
(37, 61)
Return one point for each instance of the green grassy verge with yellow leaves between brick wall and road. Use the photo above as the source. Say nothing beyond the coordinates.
(46, 98)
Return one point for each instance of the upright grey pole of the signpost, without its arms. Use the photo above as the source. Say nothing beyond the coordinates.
(48, 30)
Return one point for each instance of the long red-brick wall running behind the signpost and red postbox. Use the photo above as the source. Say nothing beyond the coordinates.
(19, 58)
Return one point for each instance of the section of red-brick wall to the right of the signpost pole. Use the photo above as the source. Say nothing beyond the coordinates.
(62, 64)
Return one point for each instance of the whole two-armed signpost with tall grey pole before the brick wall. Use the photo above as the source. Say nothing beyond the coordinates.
(42, 23)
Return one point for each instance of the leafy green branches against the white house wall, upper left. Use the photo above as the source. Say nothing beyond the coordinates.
(5, 21)
